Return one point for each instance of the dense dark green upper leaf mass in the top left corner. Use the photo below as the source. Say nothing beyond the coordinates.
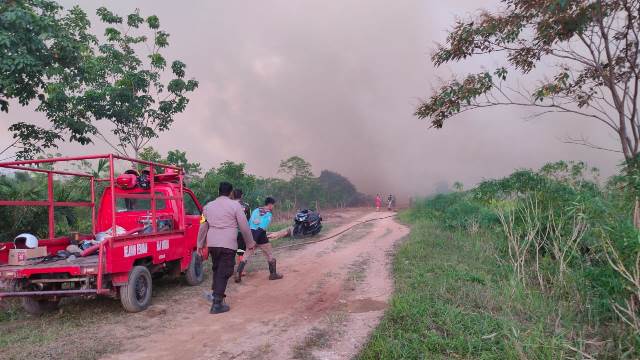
(38, 41)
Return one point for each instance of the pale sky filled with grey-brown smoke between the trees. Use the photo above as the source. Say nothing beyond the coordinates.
(336, 82)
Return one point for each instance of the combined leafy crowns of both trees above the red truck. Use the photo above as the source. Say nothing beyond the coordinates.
(82, 83)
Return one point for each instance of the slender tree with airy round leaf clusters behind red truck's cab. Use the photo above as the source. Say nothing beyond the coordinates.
(125, 90)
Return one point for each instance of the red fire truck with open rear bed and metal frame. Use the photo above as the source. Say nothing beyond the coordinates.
(144, 223)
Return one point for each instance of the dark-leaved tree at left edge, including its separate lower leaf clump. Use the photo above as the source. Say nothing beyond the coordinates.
(40, 44)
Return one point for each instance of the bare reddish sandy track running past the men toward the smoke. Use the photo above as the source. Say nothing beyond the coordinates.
(332, 295)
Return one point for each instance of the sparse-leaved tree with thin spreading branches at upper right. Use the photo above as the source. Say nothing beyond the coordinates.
(593, 43)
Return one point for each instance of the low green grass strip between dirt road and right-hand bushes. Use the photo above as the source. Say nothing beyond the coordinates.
(454, 299)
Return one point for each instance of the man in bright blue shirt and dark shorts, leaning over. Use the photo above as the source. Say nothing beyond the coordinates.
(259, 222)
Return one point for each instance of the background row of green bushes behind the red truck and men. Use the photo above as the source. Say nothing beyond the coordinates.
(330, 190)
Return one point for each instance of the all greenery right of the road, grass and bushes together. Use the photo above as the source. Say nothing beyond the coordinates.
(575, 236)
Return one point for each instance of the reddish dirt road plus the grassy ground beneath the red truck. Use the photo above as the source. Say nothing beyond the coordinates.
(330, 288)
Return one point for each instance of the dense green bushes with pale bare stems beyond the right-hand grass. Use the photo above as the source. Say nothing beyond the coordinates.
(562, 234)
